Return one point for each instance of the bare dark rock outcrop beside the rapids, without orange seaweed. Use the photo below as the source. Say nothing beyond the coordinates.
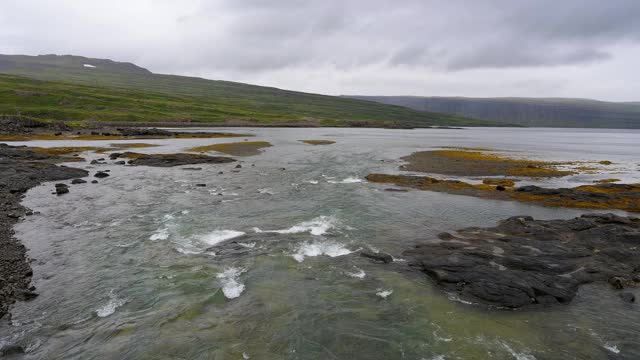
(524, 262)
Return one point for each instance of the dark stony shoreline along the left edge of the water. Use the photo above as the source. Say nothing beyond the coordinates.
(21, 168)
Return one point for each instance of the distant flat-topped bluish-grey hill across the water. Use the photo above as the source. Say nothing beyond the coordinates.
(534, 112)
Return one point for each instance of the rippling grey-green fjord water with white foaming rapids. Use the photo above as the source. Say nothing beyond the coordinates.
(262, 263)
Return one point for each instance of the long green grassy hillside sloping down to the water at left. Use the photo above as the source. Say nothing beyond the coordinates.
(124, 92)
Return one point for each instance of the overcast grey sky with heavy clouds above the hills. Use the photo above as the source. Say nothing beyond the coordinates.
(541, 48)
